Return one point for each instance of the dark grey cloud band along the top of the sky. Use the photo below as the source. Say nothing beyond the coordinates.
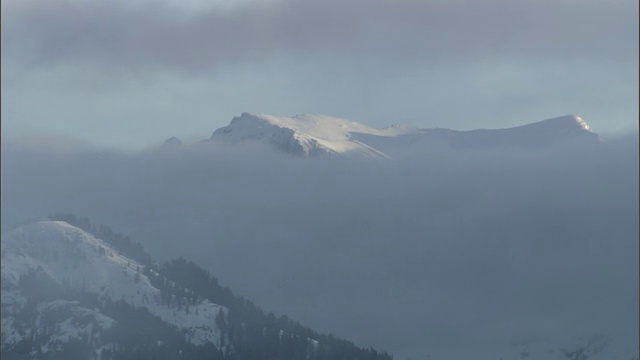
(156, 34)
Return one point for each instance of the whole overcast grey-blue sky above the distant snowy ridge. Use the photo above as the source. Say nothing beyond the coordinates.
(132, 73)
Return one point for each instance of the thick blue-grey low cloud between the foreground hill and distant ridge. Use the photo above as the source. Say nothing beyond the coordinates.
(453, 255)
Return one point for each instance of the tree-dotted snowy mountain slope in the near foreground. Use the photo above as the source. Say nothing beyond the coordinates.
(69, 294)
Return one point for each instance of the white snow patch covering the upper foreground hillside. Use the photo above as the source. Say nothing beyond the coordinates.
(72, 256)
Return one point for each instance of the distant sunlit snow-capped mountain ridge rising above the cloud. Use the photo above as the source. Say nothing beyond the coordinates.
(313, 135)
